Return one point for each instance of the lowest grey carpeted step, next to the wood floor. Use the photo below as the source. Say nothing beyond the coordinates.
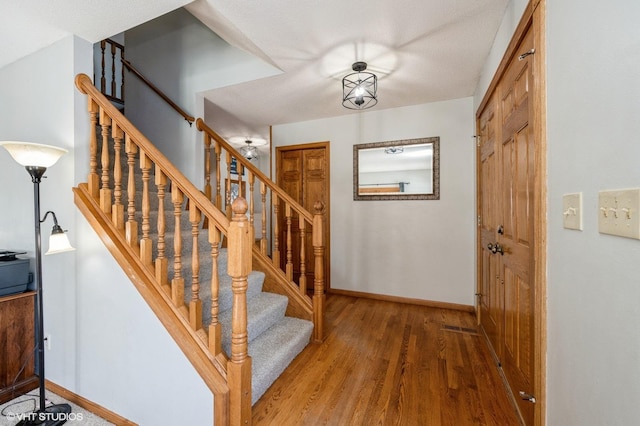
(273, 351)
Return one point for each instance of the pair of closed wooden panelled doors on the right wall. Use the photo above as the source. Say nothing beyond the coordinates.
(510, 287)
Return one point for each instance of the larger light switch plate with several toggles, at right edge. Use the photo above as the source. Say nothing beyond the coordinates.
(619, 212)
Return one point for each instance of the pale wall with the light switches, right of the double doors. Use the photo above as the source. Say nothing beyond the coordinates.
(593, 92)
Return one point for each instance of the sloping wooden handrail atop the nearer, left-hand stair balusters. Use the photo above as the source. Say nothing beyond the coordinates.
(85, 85)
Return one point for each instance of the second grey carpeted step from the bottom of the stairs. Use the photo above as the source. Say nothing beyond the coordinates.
(263, 311)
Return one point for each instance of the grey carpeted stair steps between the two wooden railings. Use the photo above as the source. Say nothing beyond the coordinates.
(274, 339)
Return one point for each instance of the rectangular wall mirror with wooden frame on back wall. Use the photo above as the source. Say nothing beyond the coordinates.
(397, 170)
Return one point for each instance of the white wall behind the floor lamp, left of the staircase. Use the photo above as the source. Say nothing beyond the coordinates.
(39, 107)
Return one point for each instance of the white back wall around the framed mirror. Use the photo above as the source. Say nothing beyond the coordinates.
(415, 249)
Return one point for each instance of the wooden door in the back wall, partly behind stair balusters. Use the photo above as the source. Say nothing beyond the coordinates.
(303, 172)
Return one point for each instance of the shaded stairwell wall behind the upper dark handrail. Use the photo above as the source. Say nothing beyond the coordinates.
(183, 58)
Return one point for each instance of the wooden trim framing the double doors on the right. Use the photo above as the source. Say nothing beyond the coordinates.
(534, 17)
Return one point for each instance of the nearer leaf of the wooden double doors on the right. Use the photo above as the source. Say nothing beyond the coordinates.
(517, 263)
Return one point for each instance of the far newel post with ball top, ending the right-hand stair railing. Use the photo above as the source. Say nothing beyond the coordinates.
(318, 272)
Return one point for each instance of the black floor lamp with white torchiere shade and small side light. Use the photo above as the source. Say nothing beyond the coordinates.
(36, 158)
